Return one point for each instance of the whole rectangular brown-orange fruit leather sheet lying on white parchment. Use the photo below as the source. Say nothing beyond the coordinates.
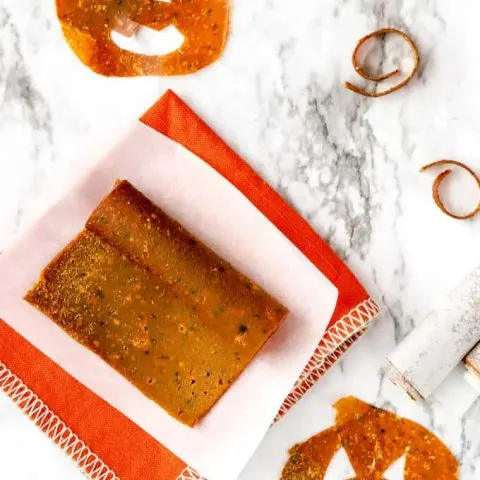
(156, 304)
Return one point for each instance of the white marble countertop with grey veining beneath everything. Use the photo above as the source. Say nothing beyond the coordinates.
(348, 164)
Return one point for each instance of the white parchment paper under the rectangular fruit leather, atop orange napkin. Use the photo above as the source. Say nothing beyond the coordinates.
(218, 214)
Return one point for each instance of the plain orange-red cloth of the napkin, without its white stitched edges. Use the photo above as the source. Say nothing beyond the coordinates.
(127, 449)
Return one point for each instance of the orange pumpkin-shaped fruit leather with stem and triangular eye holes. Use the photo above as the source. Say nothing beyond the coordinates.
(373, 440)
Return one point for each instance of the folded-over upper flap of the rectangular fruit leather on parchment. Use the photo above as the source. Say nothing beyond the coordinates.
(234, 306)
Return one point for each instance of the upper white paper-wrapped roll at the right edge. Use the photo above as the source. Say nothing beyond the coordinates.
(430, 353)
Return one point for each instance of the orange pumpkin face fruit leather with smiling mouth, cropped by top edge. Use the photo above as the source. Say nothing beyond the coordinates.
(88, 25)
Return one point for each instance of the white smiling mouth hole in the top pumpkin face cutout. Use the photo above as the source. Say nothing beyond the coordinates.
(147, 41)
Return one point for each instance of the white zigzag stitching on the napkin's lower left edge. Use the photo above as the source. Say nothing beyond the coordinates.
(37, 411)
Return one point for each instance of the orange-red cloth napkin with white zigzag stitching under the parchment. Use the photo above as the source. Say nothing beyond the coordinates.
(103, 442)
